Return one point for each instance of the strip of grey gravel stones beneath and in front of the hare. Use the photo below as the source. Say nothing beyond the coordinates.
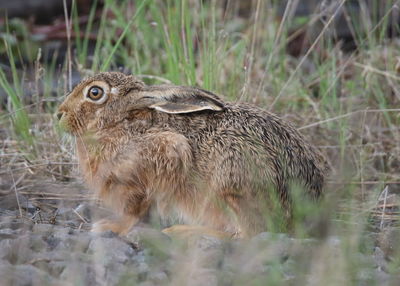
(55, 254)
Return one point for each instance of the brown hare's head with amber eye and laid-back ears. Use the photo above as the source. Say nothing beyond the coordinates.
(108, 98)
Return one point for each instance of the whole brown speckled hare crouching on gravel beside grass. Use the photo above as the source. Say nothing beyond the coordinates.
(213, 164)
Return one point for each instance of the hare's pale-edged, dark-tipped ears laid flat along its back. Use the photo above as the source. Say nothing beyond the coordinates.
(178, 100)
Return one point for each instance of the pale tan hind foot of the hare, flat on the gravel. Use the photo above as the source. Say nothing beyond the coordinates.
(191, 231)
